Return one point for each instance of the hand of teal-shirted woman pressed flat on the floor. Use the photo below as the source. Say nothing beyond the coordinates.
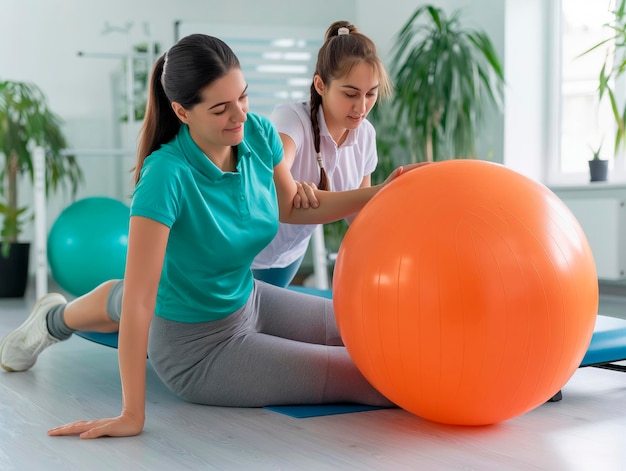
(122, 426)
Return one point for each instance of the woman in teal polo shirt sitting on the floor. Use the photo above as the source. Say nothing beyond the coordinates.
(211, 187)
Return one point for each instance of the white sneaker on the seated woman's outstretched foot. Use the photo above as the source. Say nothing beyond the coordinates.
(19, 350)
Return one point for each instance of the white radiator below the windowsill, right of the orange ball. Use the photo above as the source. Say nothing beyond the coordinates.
(604, 223)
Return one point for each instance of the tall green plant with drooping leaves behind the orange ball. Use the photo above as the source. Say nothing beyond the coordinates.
(444, 76)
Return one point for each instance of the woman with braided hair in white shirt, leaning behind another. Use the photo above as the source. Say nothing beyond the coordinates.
(327, 139)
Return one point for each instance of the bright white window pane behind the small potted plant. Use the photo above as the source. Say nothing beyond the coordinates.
(586, 123)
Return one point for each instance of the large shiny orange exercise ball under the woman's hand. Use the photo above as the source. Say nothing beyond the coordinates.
(466, 293)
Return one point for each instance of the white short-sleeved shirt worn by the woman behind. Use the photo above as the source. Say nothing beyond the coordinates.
(345, 166)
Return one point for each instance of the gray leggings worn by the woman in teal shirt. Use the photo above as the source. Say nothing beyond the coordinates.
(282, 347)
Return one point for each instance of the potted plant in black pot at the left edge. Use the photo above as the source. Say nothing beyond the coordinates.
(26, 121)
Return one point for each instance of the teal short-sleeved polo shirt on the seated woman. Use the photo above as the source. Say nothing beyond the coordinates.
(219, 221)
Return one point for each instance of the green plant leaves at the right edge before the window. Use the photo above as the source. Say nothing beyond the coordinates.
(613, 67)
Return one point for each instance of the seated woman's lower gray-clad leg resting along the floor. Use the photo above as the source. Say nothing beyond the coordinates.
(260, 370)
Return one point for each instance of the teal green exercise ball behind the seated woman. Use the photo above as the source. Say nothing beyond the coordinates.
(87, 244)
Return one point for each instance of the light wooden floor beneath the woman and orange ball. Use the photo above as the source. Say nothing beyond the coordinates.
(78, 379)
